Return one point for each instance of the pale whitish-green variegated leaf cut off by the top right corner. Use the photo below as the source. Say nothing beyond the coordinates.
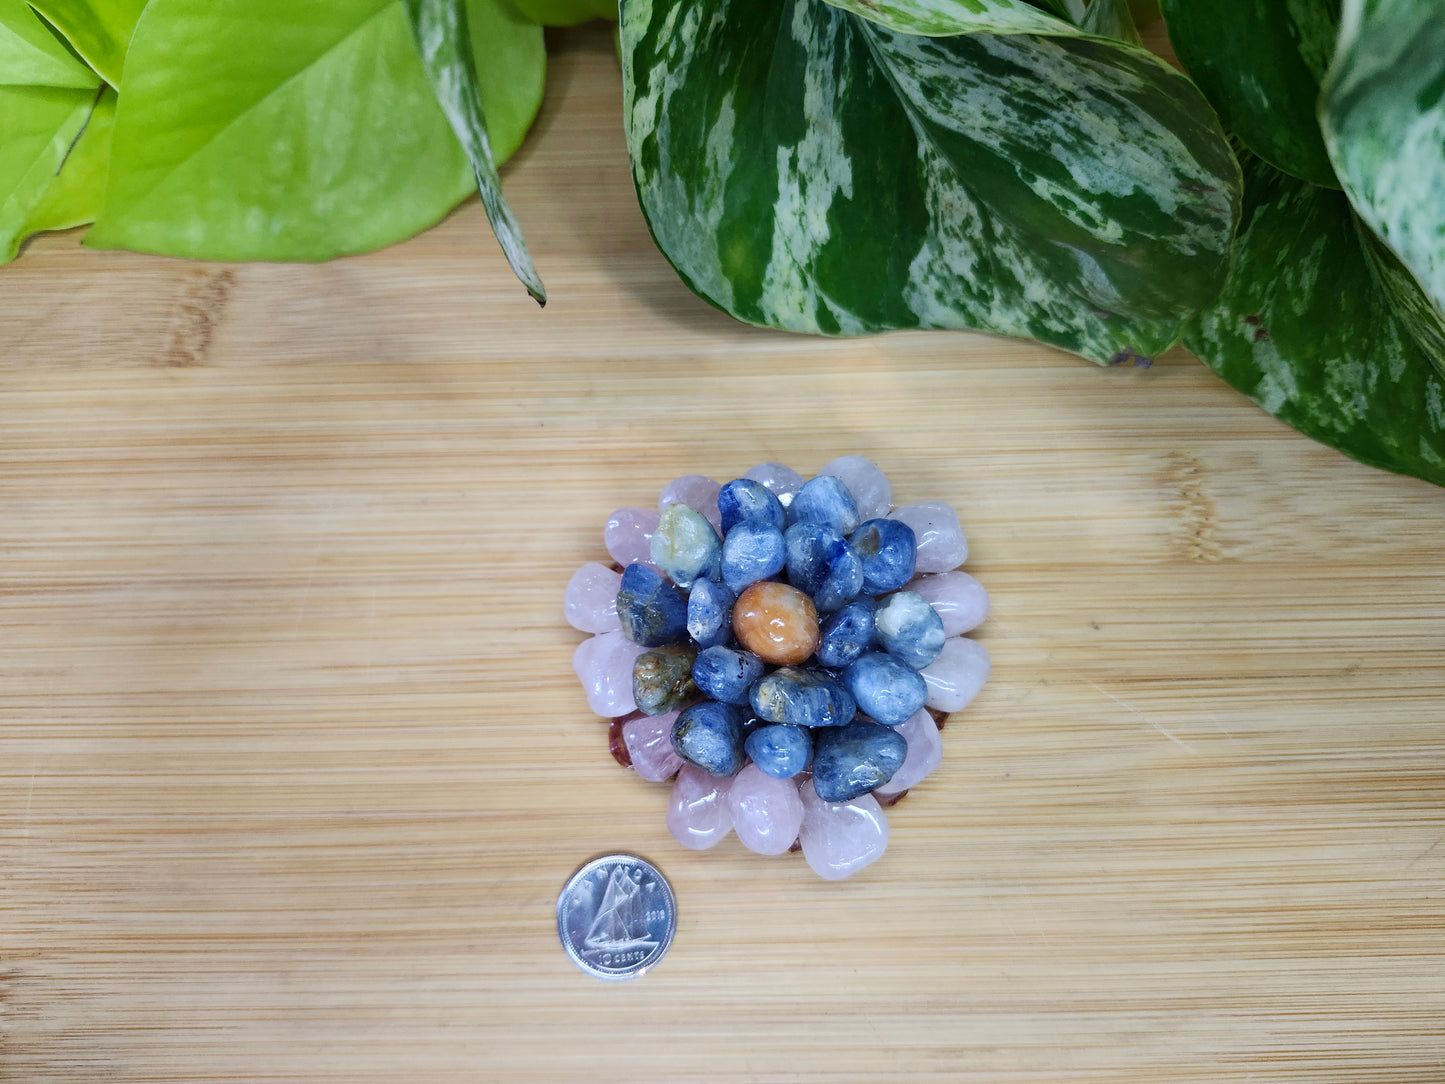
(1384, 115)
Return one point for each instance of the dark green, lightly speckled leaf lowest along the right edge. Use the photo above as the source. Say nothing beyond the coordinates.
(1306, 330)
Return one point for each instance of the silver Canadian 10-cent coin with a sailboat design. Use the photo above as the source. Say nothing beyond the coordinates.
(616, 917)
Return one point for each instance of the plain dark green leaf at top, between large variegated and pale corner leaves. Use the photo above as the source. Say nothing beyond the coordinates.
(1259, 63)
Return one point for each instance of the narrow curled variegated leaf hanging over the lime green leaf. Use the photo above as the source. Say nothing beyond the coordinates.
(440, 28)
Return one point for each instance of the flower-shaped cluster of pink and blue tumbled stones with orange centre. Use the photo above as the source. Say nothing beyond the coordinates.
(775, 648)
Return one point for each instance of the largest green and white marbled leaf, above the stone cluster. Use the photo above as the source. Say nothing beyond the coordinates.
(813, 171)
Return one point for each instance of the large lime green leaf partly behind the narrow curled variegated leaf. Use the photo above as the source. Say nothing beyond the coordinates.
(290, 129)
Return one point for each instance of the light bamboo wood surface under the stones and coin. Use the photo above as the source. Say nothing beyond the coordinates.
(293, 764)
